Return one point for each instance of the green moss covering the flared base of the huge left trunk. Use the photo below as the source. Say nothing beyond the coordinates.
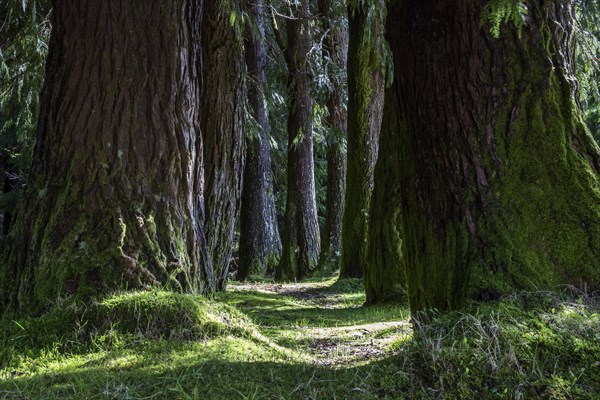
(79, 255)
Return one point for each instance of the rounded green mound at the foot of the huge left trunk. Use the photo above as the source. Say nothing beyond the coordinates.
(150, 314)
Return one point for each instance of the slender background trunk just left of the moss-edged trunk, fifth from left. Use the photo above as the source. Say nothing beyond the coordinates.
(335, 46)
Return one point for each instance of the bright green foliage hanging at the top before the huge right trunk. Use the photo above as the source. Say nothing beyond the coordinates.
(497, 12)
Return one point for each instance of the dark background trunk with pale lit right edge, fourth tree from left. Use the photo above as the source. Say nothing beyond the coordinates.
(301, 241)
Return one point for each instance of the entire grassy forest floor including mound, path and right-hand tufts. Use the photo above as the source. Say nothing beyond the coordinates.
(312, 340)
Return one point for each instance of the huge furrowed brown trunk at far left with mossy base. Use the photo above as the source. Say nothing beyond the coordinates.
(115, 195)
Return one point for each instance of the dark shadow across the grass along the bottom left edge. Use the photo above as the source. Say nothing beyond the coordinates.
(210, 379)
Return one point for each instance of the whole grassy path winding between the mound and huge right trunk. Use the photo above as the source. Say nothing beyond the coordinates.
(327, 322)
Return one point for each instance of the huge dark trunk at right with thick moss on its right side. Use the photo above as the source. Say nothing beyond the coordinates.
(498, 175)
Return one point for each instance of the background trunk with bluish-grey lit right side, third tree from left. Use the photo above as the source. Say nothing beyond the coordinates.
(260, 245)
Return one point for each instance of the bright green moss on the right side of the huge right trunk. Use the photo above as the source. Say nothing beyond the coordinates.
(547, 212)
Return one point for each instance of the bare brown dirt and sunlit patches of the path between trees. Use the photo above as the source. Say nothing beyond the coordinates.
(340, 344)
